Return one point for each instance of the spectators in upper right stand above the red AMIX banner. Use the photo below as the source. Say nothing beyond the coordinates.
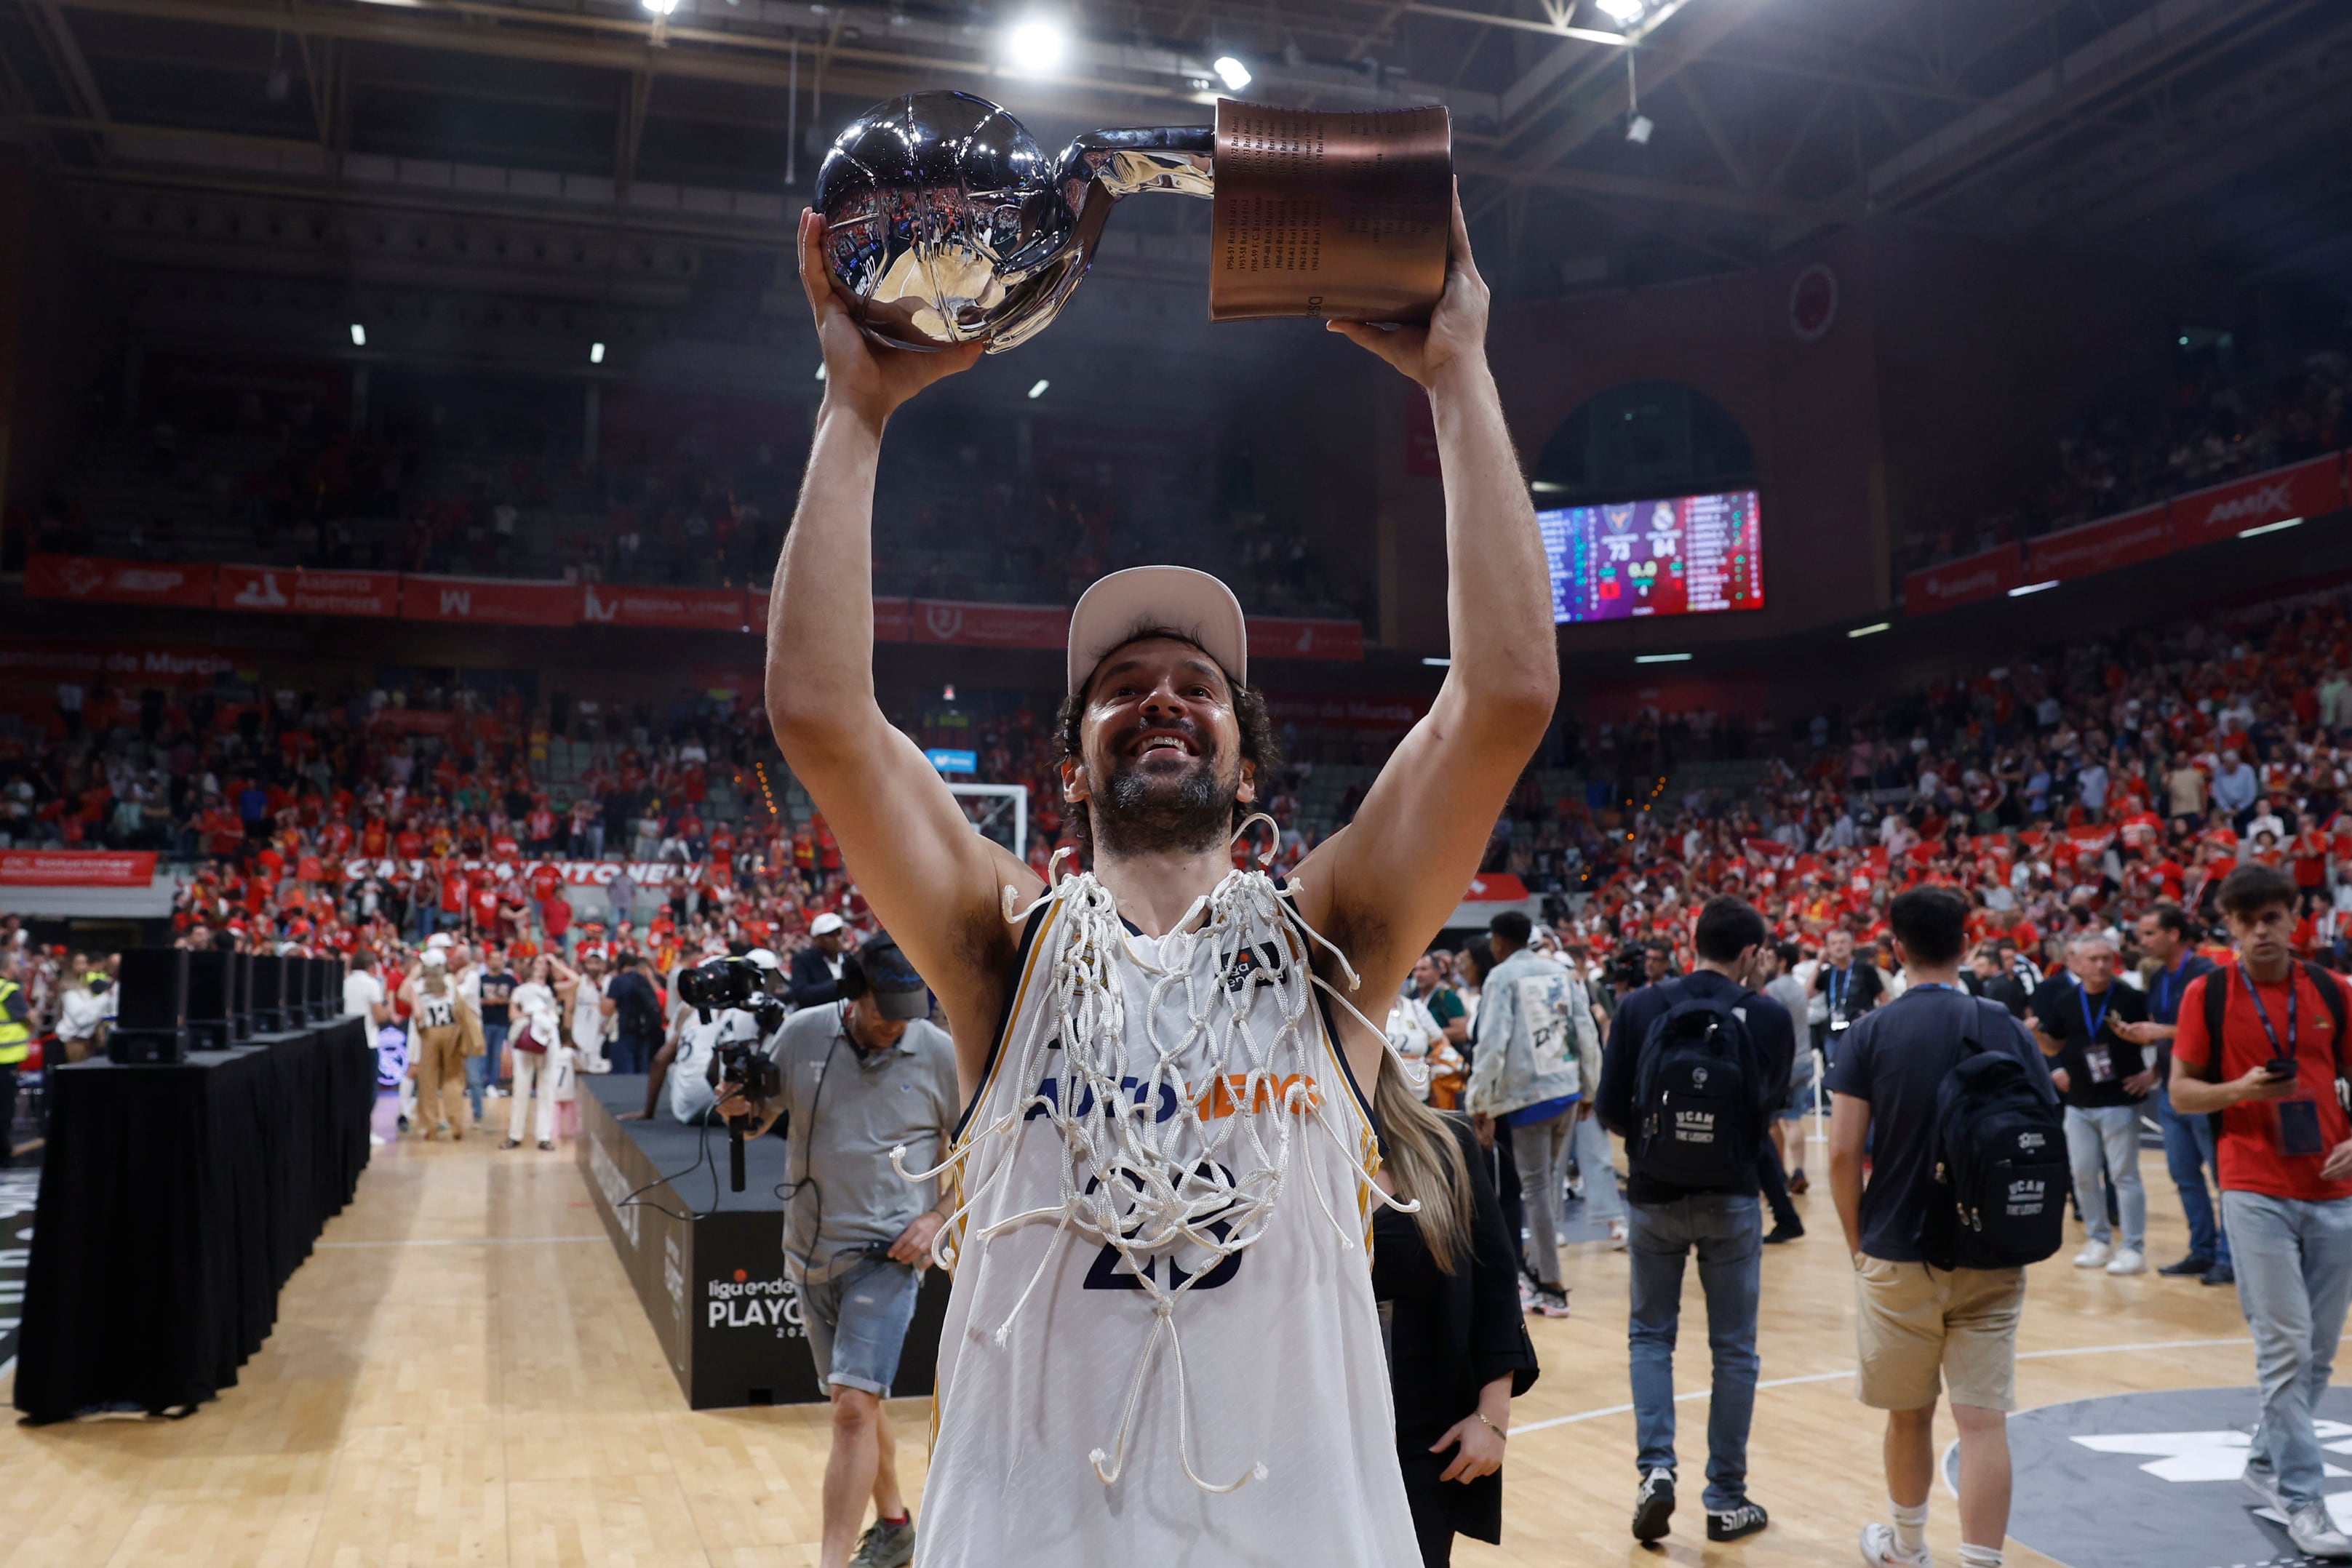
(2210, 431)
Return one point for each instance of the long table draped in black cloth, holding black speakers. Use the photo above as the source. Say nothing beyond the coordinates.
(175, 1202)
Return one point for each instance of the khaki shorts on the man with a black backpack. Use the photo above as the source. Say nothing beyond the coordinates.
(1918, 1325)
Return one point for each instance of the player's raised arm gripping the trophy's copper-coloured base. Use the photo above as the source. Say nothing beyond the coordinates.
(1394, 876)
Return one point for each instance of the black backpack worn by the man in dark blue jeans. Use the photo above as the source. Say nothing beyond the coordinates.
(1699, 1113)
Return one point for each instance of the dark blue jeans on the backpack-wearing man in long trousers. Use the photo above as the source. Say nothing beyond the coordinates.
(1730, 1238)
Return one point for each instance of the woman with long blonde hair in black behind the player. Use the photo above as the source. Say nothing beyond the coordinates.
(1448, 1285)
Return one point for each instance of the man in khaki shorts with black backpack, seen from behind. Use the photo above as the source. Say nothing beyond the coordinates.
(1956, 1106)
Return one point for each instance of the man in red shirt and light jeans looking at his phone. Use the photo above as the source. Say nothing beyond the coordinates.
(2285, 1179)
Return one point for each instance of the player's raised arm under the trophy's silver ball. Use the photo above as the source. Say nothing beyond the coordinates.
(926, 873)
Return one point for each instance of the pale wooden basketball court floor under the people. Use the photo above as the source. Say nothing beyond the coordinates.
(465, 1376)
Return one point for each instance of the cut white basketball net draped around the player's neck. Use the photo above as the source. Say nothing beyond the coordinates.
(1201, 1179)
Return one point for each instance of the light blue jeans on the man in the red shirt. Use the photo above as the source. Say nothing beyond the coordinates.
(2294, 1278)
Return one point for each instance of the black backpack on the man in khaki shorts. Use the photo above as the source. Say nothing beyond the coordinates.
(2000, 1160)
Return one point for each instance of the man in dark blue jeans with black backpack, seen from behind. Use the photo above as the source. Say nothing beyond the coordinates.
(1692, 1076)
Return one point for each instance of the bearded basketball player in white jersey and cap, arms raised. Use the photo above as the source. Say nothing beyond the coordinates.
(1163, 1343)
